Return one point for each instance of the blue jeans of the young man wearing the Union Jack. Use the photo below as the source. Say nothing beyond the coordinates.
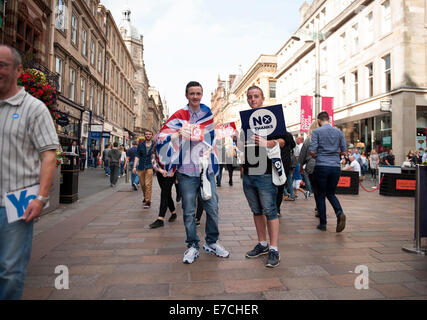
(189, 188)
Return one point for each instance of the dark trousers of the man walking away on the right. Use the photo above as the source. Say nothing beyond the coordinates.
(326, 180)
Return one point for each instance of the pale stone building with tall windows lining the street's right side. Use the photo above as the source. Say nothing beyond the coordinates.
(372, 62)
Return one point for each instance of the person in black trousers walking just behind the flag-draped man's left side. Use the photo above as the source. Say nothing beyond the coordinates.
(166, 182)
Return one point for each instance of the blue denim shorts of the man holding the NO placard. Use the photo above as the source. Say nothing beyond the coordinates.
(261, 194)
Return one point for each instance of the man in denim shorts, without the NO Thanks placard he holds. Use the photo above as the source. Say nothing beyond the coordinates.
(259, 189)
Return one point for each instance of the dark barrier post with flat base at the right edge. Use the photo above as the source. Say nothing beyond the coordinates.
(420, 230)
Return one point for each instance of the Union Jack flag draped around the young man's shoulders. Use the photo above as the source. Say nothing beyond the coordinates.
(170, 150)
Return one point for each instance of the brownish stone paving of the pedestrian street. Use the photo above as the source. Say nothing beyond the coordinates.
(112, 254)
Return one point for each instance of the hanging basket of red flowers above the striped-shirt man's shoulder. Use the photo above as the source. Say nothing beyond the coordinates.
(35, 83)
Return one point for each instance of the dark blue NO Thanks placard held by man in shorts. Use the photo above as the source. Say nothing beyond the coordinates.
(265, 122)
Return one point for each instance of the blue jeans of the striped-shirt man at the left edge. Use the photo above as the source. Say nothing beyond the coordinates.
(15, 250)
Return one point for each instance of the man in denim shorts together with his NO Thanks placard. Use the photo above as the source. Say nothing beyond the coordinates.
(260, 131)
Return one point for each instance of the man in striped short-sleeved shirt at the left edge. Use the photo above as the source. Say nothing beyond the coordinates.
(27, 135)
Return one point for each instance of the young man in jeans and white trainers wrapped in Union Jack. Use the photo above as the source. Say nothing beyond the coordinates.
(187, 137)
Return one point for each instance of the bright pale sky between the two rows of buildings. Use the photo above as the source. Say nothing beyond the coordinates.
(187, 40)
